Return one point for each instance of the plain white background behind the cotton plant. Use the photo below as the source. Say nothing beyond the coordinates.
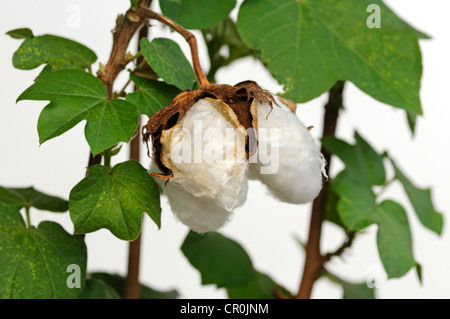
(265, 227)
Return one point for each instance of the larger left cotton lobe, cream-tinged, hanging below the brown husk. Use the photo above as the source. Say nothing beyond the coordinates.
(205, 187)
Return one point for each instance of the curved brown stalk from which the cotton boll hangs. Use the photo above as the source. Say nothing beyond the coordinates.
(190, 39)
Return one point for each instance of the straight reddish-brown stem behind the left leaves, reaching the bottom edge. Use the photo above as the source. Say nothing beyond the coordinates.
(132, 287)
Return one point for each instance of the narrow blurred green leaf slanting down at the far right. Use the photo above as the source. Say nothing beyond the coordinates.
(421, 202)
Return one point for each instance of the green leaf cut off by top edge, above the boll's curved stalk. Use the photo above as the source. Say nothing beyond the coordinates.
(197, 14)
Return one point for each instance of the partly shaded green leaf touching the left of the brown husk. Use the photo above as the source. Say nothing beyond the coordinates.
(151, 95)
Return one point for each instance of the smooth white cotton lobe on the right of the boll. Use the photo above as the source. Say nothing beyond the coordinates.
(298, 178)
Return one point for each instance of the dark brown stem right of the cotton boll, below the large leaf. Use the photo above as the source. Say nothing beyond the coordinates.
(314, 259)
